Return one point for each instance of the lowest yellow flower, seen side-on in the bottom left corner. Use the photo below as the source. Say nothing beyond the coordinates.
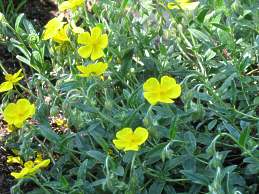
(30, 168)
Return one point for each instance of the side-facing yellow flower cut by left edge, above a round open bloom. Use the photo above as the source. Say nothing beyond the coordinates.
(10, 80)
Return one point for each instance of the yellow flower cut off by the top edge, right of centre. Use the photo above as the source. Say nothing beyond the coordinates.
(184, 4)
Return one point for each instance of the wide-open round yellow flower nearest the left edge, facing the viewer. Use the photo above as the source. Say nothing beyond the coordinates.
(17, 113)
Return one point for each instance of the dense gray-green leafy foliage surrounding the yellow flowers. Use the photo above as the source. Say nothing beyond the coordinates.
(206, 142)
